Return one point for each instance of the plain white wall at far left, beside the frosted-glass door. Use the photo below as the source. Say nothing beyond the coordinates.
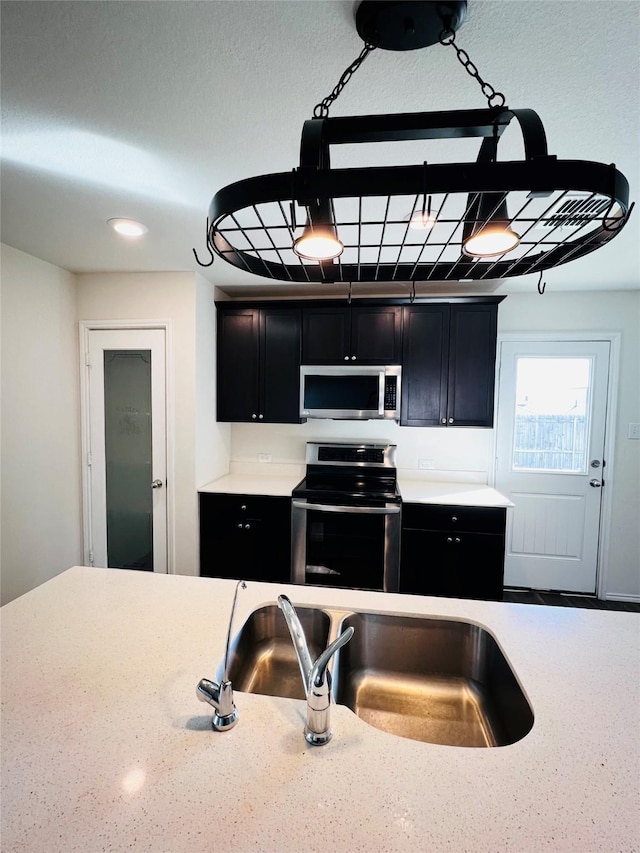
(41, 478)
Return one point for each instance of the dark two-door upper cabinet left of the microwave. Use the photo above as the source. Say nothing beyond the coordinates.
(258, 376)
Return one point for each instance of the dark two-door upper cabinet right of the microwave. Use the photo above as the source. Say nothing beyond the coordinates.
(448, 364)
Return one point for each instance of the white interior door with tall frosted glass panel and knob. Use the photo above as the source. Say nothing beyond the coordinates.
(127, 459)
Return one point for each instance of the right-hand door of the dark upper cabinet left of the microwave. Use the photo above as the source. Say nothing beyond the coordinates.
(280, 334)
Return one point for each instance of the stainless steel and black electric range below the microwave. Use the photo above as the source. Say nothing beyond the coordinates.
(345, 520)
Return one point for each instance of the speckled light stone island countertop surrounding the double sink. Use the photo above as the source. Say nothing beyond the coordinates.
(105, 746)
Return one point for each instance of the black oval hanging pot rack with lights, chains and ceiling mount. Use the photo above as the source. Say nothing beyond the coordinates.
(493, 219)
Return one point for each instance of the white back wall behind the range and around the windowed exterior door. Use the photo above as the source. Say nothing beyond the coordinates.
(470, 451)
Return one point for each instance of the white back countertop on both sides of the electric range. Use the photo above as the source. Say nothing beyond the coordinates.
(412, 488)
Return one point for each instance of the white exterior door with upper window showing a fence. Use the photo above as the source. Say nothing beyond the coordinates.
(550, 460)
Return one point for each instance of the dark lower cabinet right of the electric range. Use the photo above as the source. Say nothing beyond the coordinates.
(453, 551)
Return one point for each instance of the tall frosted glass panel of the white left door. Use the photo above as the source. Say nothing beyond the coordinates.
(128, 446)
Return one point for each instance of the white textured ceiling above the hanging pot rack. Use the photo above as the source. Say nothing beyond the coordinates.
(145, 109)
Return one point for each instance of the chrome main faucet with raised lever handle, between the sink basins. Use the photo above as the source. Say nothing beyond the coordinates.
(315, 676)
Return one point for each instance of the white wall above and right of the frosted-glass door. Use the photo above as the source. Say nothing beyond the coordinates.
(174, 297)
